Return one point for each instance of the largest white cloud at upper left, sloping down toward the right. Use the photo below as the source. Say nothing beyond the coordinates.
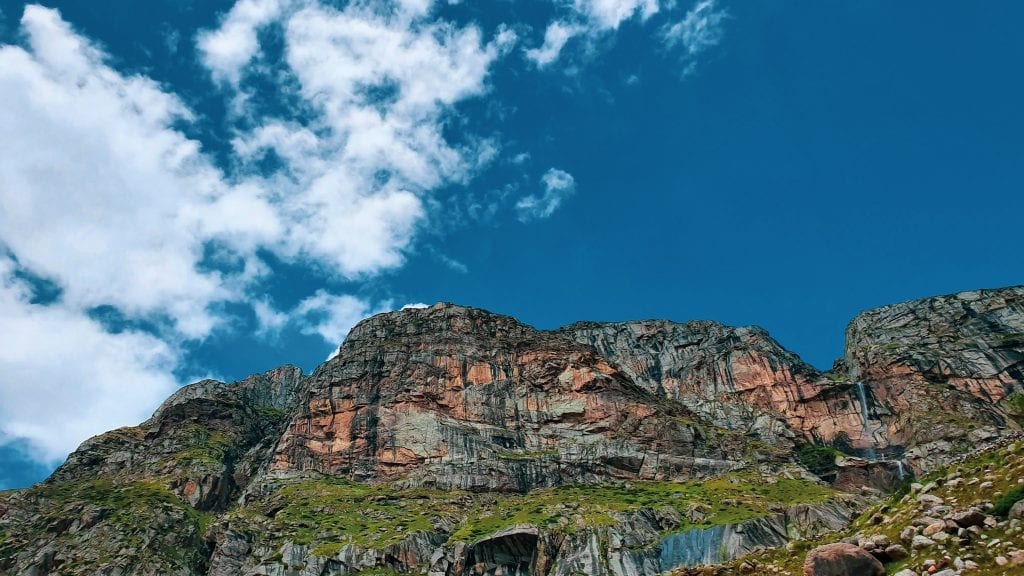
(100, 193)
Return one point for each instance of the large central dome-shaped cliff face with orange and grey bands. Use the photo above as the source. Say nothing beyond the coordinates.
(460, 398)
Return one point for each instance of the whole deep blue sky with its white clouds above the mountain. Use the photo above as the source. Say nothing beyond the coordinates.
(215, 189)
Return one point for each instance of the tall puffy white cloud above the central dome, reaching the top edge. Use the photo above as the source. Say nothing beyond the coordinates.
(382, 85)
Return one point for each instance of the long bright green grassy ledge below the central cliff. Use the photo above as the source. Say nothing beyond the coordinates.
(329, 514)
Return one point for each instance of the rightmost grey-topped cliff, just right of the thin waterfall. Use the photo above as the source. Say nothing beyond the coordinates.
(940, 367)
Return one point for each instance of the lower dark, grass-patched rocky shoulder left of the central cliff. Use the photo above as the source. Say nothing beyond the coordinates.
(137, 501)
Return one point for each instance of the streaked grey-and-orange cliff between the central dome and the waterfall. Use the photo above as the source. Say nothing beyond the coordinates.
(739, 379)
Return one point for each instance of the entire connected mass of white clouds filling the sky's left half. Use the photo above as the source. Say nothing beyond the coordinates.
(103, 194)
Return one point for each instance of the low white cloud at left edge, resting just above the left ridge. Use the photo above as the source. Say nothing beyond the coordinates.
(65, 379)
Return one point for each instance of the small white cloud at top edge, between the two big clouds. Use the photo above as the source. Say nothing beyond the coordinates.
(230, 49)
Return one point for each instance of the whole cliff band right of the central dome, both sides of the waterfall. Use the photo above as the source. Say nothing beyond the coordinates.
(928, 369)
